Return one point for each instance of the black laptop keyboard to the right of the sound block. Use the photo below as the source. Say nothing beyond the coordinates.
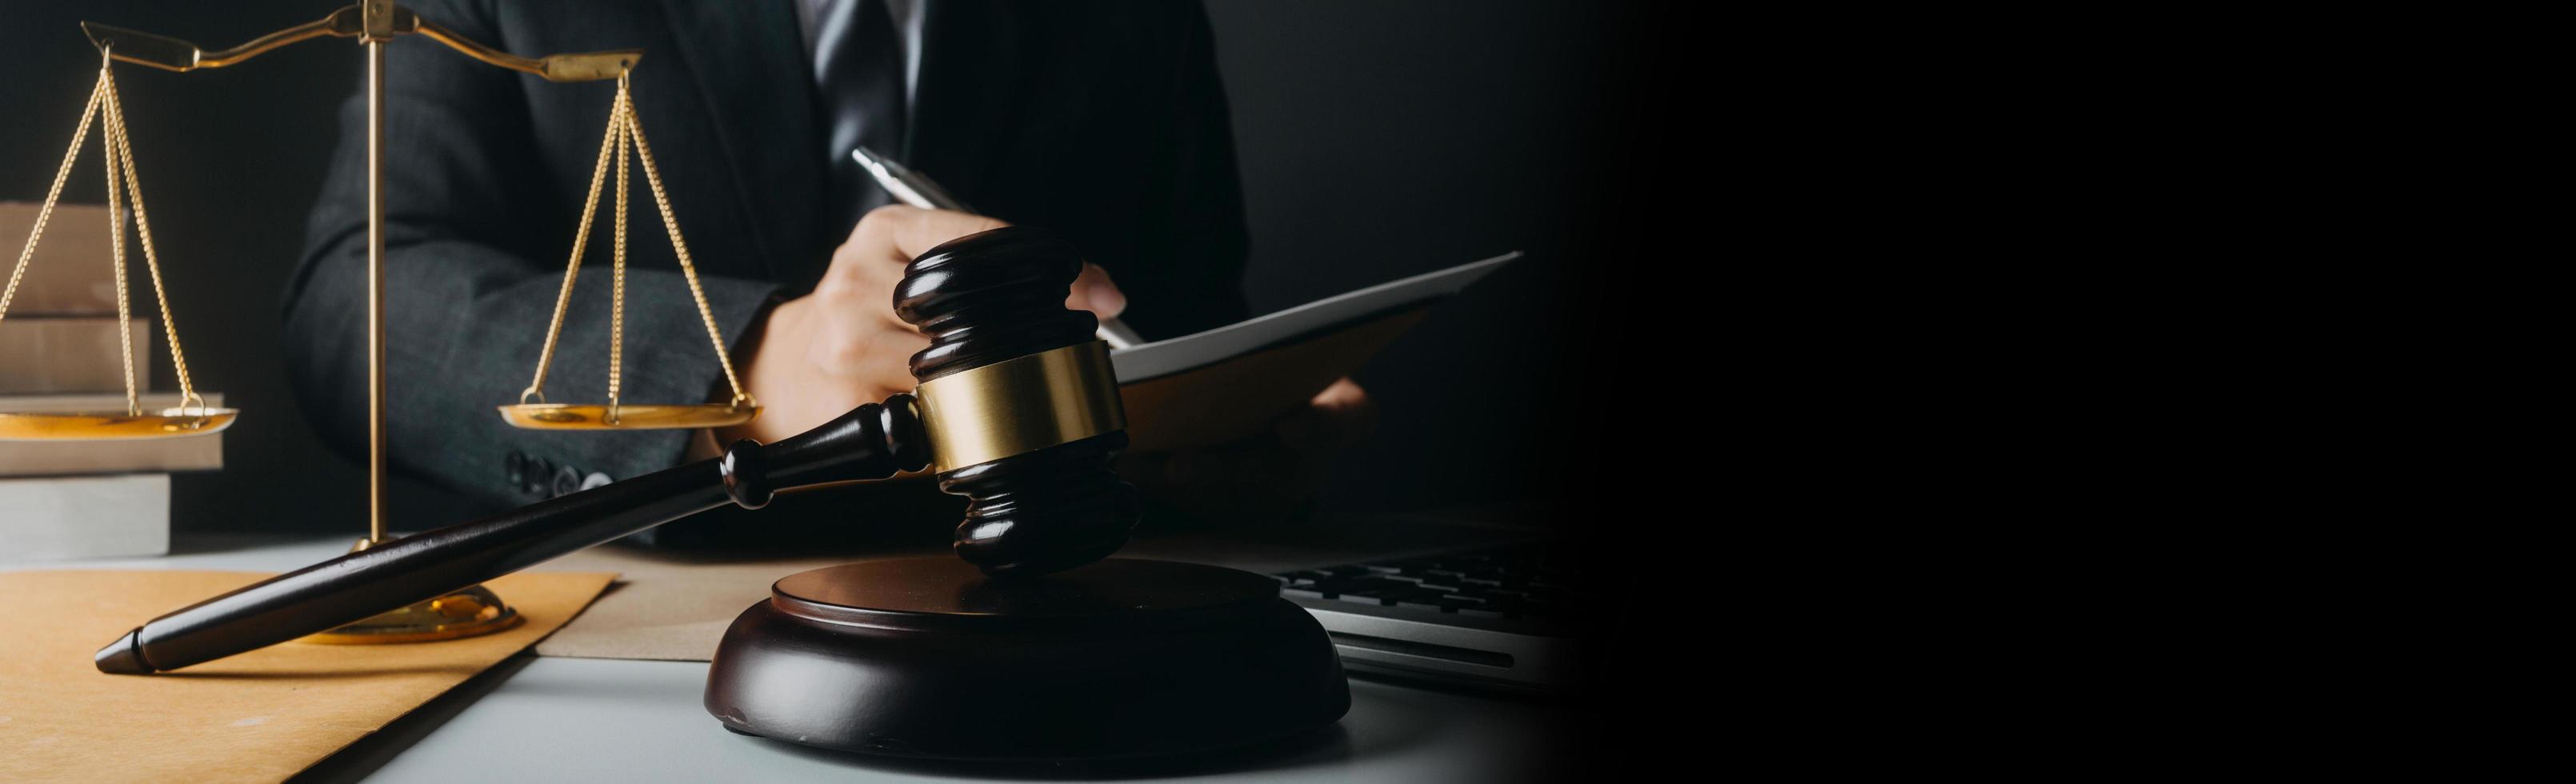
(1501, 584)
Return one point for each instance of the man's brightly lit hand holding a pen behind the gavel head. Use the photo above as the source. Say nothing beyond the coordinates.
(828, 352)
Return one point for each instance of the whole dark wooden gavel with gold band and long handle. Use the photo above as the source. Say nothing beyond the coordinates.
(1016, 409)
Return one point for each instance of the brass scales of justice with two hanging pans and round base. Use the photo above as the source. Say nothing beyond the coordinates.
(377, 24)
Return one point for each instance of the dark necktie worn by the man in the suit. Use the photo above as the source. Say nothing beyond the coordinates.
(859, 71)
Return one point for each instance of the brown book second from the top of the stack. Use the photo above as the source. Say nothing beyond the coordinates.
(71, 355)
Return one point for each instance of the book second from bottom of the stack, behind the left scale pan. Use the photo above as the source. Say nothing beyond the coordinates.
(107, 458)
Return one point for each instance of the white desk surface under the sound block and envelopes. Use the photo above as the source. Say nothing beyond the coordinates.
(640, 721)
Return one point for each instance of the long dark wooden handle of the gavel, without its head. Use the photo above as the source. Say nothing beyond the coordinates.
(424, 566)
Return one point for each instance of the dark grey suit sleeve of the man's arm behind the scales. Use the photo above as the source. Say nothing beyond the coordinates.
(475, 257)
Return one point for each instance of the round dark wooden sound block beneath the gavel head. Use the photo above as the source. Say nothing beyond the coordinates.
(1117, 659)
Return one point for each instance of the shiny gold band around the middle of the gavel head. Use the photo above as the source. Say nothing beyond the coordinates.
(1021, 406)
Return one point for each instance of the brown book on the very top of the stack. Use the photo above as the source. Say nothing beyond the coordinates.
(73, 269)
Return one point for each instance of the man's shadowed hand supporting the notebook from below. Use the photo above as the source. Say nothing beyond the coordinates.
(1264, 478)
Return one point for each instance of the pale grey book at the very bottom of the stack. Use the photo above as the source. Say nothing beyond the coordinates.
(84, 517)
